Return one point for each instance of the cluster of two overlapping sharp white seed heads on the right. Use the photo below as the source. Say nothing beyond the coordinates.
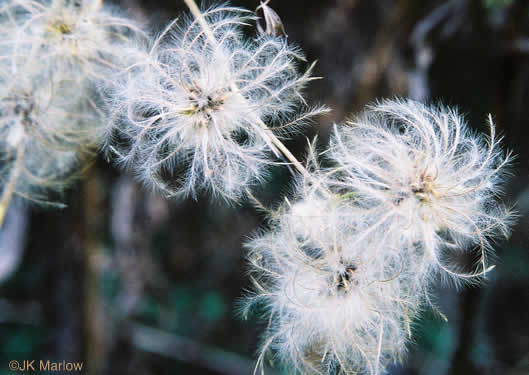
(346, 268)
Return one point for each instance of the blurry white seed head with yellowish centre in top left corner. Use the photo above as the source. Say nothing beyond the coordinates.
(79, 36)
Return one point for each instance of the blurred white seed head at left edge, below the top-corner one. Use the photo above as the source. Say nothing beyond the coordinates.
(44, 129)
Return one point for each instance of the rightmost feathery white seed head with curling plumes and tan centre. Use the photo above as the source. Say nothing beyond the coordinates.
(424, 180)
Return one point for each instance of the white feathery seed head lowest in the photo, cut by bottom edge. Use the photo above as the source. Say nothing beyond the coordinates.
(332, 307)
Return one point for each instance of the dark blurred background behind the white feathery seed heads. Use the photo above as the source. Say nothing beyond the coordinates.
(128, 282)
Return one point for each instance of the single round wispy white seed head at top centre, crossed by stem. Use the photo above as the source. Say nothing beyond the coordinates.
(197, 112)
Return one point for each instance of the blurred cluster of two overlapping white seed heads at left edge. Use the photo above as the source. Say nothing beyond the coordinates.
(53, 56)
